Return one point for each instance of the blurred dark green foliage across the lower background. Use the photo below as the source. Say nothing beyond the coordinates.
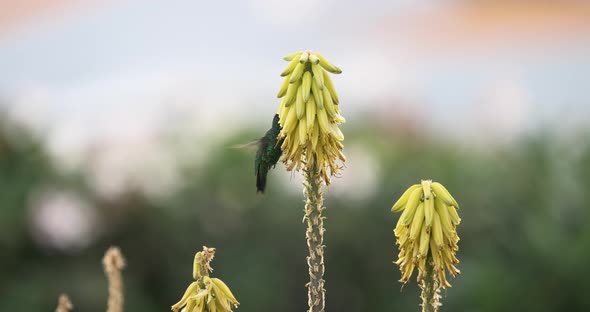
(525, 245)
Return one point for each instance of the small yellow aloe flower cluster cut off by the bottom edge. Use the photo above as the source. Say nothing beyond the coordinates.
(206, 293)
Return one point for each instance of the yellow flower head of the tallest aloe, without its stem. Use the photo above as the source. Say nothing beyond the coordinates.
(309, 115)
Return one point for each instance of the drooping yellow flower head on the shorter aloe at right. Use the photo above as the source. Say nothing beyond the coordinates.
(427, 230)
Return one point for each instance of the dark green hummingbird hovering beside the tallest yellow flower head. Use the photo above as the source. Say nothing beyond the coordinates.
(268, 154)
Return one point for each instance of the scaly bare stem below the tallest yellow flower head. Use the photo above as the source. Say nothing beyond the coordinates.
(315, 238)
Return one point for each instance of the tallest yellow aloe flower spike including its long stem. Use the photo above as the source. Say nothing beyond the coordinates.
(309, 115)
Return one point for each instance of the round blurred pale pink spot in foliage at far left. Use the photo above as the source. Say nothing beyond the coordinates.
(62, 221)
